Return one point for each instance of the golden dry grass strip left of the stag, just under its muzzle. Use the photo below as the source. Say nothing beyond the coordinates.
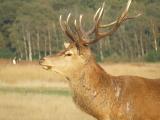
(30, 72)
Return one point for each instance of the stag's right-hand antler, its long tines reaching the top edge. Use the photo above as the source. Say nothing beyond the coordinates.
(115, 24)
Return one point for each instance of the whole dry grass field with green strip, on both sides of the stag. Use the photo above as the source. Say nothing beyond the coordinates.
(27, 92)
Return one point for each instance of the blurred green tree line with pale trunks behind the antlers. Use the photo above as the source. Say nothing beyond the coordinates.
(29, 29)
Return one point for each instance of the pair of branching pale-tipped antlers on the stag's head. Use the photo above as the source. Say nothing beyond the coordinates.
(80, 32)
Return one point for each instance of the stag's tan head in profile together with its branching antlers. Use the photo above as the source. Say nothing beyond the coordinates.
(77, 52)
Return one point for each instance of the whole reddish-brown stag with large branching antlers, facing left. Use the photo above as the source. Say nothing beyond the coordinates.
(99, 94)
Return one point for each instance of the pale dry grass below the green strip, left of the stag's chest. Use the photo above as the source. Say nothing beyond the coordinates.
(39, 107)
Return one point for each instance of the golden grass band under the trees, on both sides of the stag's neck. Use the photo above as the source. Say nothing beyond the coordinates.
(31, 72)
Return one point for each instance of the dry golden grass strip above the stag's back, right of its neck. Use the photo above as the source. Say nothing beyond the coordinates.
(148, 70)
